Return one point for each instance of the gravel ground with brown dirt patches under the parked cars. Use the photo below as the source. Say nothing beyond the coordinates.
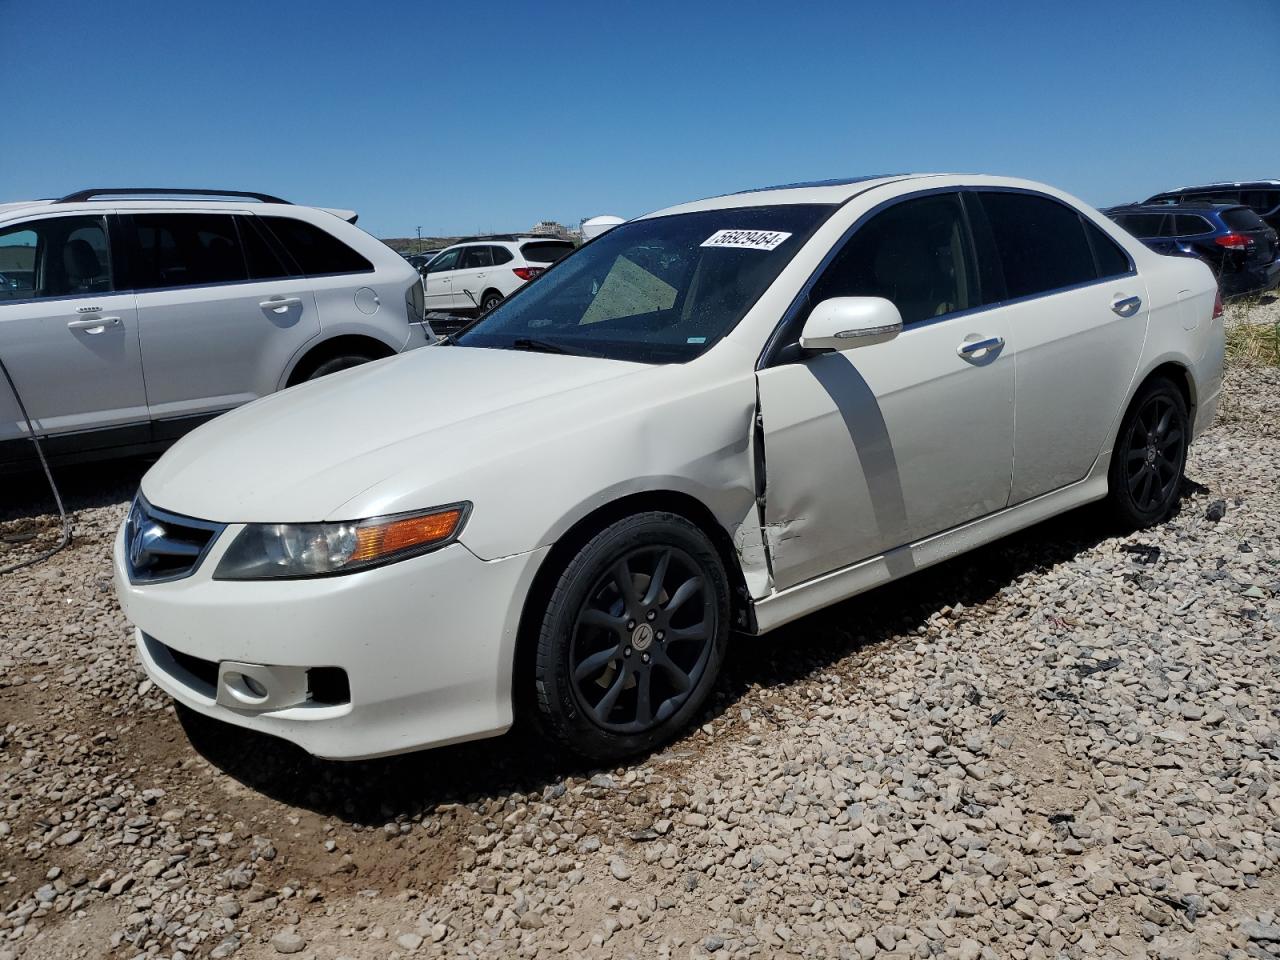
(1067, 744)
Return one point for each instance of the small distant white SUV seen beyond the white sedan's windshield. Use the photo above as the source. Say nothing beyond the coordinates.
(481, 275)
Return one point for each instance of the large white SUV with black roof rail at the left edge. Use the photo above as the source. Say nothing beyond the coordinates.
(129, 317)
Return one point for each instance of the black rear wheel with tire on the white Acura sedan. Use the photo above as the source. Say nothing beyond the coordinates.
(1150, 456)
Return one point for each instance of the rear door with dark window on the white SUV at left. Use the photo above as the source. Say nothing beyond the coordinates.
(221, 314)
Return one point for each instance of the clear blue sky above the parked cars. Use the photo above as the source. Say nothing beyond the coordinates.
(490, 117)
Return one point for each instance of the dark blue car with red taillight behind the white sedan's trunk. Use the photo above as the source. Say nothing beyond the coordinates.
(1241, 249)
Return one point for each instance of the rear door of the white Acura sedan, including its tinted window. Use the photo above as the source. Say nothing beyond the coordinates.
(1077, 313)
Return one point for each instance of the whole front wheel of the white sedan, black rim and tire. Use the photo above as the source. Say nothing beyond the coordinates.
(633, 638)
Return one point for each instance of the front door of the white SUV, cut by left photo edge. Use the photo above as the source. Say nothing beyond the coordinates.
(68, 339)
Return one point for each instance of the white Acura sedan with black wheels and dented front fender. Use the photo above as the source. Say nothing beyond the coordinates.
(716, 418)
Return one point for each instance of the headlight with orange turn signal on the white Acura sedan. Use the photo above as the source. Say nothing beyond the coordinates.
(285, 551)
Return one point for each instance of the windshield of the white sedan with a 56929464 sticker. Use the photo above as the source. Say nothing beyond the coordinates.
(653, 291)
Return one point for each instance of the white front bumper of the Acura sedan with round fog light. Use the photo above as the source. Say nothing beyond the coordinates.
(427, 647)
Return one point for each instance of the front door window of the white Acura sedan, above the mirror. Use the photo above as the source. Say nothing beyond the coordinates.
(915, 254)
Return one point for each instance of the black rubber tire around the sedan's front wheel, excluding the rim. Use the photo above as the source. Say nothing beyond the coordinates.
(556, 703)
